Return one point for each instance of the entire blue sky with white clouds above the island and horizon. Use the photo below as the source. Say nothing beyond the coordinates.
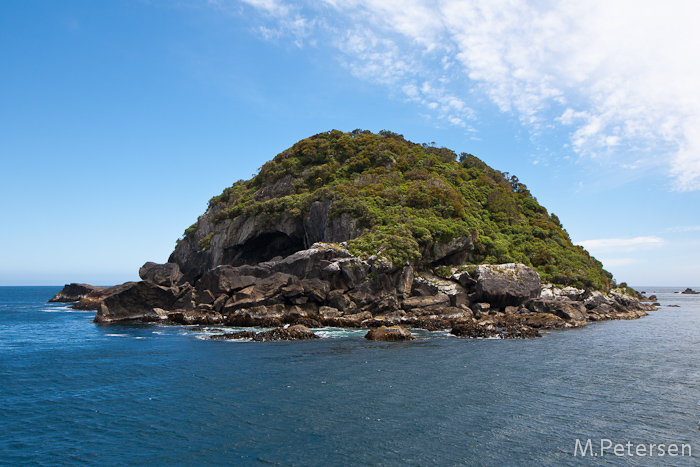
(120, 120)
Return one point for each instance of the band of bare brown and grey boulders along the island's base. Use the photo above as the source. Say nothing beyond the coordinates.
(325, 285)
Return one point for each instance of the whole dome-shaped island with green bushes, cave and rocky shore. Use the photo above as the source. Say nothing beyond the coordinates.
(371, 231)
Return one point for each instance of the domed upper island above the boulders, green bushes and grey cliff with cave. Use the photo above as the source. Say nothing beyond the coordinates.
(379, 194)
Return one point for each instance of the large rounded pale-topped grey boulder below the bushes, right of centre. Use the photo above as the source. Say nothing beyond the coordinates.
(506, 284)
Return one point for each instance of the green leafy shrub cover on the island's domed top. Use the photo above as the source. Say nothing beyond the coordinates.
(406, 196)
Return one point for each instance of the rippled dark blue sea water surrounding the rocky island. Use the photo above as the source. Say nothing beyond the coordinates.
(76, 393)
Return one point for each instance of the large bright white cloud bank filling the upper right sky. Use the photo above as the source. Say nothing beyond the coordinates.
(618, 76)
